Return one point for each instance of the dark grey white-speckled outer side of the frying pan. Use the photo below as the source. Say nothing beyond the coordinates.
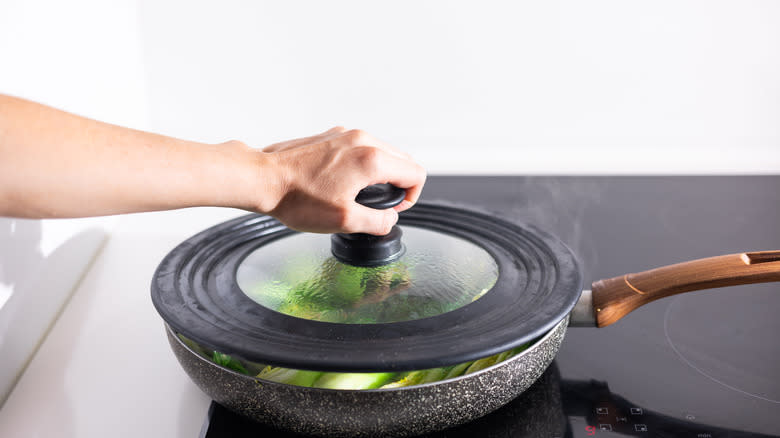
(372, 413)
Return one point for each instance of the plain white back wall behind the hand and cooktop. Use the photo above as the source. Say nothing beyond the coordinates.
(481, 87)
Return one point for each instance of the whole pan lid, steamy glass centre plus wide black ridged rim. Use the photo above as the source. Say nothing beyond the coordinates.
(461, 284)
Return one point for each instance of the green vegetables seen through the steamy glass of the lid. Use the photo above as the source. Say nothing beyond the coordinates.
(335, 292)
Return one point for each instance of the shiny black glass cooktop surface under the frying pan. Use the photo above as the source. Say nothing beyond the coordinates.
(704, 364)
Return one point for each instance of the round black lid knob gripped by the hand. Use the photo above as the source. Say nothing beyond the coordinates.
(360, 249)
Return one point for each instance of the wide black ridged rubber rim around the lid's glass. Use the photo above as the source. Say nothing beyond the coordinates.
(195, 291)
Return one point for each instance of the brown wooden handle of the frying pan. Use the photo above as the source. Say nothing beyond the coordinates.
(613, 298)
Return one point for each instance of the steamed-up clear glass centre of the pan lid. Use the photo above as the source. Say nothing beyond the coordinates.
(298, 276)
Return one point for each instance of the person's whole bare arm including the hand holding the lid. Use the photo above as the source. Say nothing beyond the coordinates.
(57, 164)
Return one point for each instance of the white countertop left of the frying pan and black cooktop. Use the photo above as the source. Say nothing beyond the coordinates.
(106, 369)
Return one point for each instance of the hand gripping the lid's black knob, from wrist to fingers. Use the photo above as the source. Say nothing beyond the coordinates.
(320, 176)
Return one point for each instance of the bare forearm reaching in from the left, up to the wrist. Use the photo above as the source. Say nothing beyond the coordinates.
(56, 164)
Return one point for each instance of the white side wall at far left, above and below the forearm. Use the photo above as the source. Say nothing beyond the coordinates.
(83, 56)
